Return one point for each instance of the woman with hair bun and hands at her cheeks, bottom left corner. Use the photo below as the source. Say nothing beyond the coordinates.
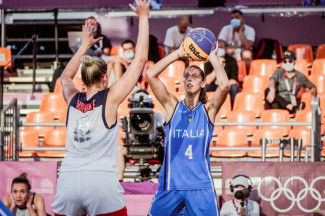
(21, 201)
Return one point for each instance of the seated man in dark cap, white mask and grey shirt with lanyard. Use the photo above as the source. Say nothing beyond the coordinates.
(284, 85)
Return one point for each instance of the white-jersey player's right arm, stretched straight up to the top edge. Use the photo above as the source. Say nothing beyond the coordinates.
(122, 88)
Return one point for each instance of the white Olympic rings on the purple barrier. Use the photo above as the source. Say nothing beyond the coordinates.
(288, 193)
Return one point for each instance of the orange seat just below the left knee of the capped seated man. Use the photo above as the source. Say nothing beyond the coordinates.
(276, 115)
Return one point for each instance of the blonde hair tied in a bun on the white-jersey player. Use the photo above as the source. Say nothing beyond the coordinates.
(92, 69)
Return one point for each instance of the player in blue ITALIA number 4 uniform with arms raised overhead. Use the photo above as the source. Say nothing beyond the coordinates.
(185, 179)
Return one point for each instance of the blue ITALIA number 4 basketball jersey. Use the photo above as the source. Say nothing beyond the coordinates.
(186, 164)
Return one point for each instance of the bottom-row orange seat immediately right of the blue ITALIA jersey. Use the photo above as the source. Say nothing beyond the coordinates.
(230, 138)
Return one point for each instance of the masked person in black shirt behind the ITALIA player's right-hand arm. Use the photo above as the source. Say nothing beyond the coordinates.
(230, 65)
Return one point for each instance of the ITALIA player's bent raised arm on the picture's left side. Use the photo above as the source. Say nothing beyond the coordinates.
(167, 100)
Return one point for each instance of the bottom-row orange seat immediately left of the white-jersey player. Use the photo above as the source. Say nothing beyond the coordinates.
(54, 138)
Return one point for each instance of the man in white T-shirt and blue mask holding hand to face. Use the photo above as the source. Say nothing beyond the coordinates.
(239, 36)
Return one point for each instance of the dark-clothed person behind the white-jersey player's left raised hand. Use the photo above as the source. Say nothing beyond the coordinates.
(102, 48)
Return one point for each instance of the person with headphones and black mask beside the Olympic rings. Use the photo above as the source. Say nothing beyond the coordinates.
(240, 204)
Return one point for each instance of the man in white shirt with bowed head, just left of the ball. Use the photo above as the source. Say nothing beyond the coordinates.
(175, 34)
